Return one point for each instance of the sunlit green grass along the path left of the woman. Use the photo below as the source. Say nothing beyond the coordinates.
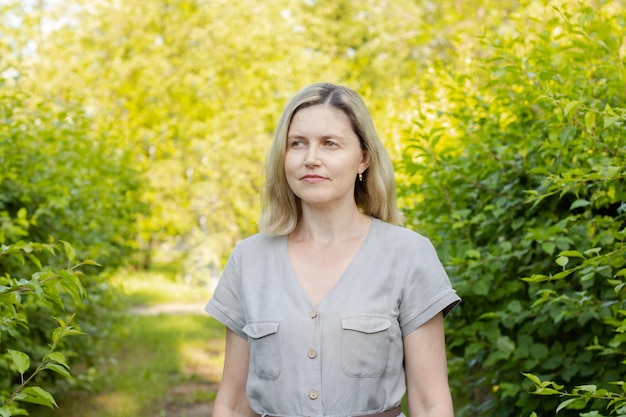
(165, 365)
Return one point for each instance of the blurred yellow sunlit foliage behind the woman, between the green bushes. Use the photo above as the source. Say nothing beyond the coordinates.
(193, 91)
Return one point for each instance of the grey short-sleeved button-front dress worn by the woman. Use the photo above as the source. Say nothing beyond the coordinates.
(343, 357)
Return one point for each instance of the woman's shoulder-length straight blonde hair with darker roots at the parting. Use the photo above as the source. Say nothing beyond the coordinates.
(375, 195)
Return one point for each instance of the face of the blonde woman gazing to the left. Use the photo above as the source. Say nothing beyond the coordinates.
(324, 157)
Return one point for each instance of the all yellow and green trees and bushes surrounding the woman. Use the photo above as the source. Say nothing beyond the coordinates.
(136, 131)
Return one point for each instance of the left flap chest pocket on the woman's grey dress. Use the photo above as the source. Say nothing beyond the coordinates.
(264, 348)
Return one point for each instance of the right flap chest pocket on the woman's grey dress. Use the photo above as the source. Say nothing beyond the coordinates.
(365, 345)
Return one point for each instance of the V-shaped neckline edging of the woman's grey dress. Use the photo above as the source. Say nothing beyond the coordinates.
(349, 271)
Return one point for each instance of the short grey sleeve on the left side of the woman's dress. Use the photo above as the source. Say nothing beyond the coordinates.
(226, 305)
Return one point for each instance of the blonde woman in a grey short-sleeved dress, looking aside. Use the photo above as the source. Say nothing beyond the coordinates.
(333, 309)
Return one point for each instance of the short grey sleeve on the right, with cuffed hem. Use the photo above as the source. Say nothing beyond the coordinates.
(427, 290)
